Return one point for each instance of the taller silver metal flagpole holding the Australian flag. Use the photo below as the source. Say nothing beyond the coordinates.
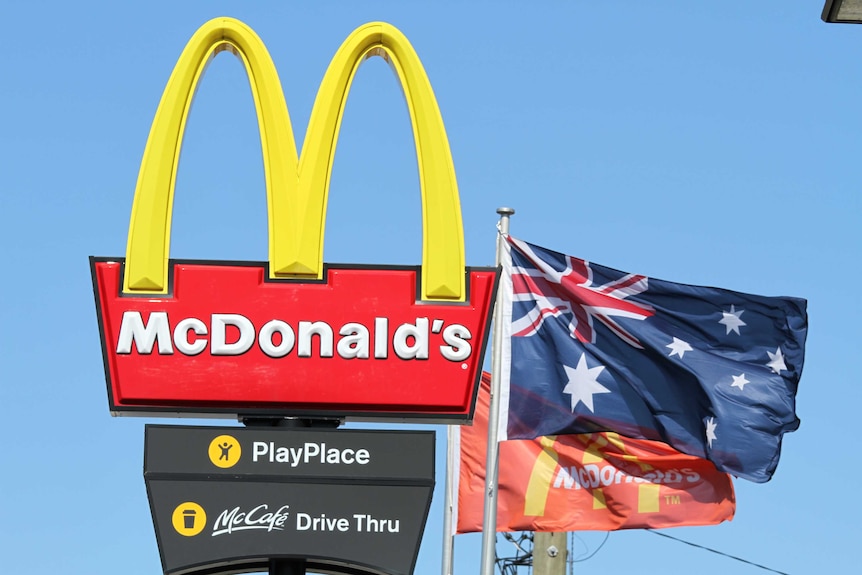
(489, 524)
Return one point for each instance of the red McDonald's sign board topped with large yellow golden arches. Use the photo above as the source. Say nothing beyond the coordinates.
(294, 336)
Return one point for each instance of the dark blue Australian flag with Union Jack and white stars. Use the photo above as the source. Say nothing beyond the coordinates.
(709, 371)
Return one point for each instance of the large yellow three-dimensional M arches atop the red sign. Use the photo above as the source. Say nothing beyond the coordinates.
(297, 188)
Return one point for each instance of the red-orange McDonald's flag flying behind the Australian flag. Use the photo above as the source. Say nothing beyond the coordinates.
(598, 481)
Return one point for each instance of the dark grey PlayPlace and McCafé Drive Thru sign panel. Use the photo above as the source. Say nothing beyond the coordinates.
(228, 498)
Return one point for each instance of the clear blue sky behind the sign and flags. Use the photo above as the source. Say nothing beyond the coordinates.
(706, 143)
